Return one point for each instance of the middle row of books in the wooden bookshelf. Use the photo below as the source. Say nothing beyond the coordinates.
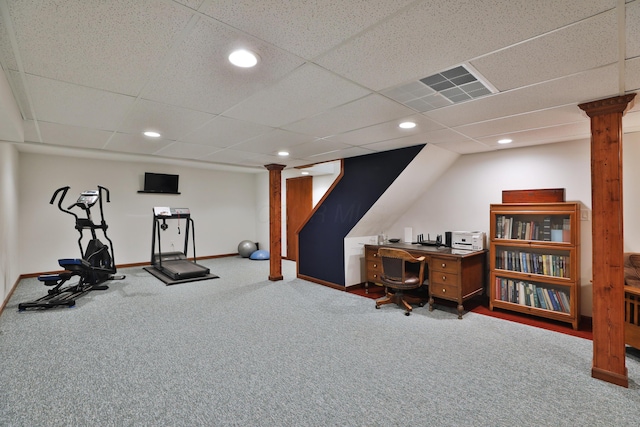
(527, 262)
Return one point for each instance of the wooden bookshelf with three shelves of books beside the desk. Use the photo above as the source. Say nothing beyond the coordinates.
(535, 259)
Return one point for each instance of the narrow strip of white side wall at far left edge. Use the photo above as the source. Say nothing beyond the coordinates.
(9, 219)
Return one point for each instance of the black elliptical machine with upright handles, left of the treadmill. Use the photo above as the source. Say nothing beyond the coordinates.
(97, 264)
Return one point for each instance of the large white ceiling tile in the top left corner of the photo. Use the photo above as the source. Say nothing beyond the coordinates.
(94, 46)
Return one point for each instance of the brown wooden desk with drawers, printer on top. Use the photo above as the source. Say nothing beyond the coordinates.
(452, 276)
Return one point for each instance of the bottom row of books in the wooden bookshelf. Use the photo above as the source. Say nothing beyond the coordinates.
(532, 295)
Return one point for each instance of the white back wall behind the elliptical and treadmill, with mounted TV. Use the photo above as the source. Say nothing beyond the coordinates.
(222, 204)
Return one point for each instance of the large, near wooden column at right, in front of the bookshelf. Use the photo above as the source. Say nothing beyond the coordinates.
(607, 234)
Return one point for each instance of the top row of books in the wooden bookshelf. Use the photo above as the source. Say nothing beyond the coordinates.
(514, 228)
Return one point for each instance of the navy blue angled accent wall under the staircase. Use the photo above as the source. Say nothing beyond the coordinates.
(365, 178)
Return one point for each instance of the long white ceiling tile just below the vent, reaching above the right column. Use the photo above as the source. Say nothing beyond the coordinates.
(583, 87)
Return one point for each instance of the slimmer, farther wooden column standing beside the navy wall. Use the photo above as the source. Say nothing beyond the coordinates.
(275, 221)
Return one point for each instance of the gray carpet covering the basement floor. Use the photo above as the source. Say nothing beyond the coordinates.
(243, 351)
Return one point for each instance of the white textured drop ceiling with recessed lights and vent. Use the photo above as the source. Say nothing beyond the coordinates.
(334, 79)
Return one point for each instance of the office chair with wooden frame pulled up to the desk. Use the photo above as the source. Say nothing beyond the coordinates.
(400, 272)
